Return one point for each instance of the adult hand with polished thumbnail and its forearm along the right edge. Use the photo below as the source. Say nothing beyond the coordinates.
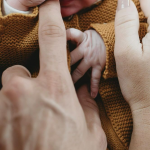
(132, 60)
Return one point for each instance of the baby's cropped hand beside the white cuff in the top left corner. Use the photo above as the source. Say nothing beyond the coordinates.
(24, 5)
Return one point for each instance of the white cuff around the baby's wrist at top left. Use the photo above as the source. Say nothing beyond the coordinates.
(6, 9)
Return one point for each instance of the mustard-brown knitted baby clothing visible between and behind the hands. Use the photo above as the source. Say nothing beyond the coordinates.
(19, 45)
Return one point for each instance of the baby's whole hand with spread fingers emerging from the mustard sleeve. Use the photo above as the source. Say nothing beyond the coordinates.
(91, 49)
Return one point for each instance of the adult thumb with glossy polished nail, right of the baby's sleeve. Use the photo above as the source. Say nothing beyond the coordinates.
(126, 28)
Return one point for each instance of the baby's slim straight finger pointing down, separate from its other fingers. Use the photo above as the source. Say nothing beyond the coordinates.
(95, 79)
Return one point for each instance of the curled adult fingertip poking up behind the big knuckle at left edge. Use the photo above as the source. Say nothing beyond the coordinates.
(14, 71)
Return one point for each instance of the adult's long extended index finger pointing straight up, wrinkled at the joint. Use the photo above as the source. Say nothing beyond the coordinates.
(52, 38)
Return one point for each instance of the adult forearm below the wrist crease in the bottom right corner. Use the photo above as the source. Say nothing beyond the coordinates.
(141, 130)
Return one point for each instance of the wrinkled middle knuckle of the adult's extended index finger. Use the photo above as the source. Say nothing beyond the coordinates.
(50, 30)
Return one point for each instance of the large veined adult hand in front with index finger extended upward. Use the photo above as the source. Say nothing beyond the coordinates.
(45, 112)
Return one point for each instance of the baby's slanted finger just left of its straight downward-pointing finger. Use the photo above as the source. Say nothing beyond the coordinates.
(80, 70)
